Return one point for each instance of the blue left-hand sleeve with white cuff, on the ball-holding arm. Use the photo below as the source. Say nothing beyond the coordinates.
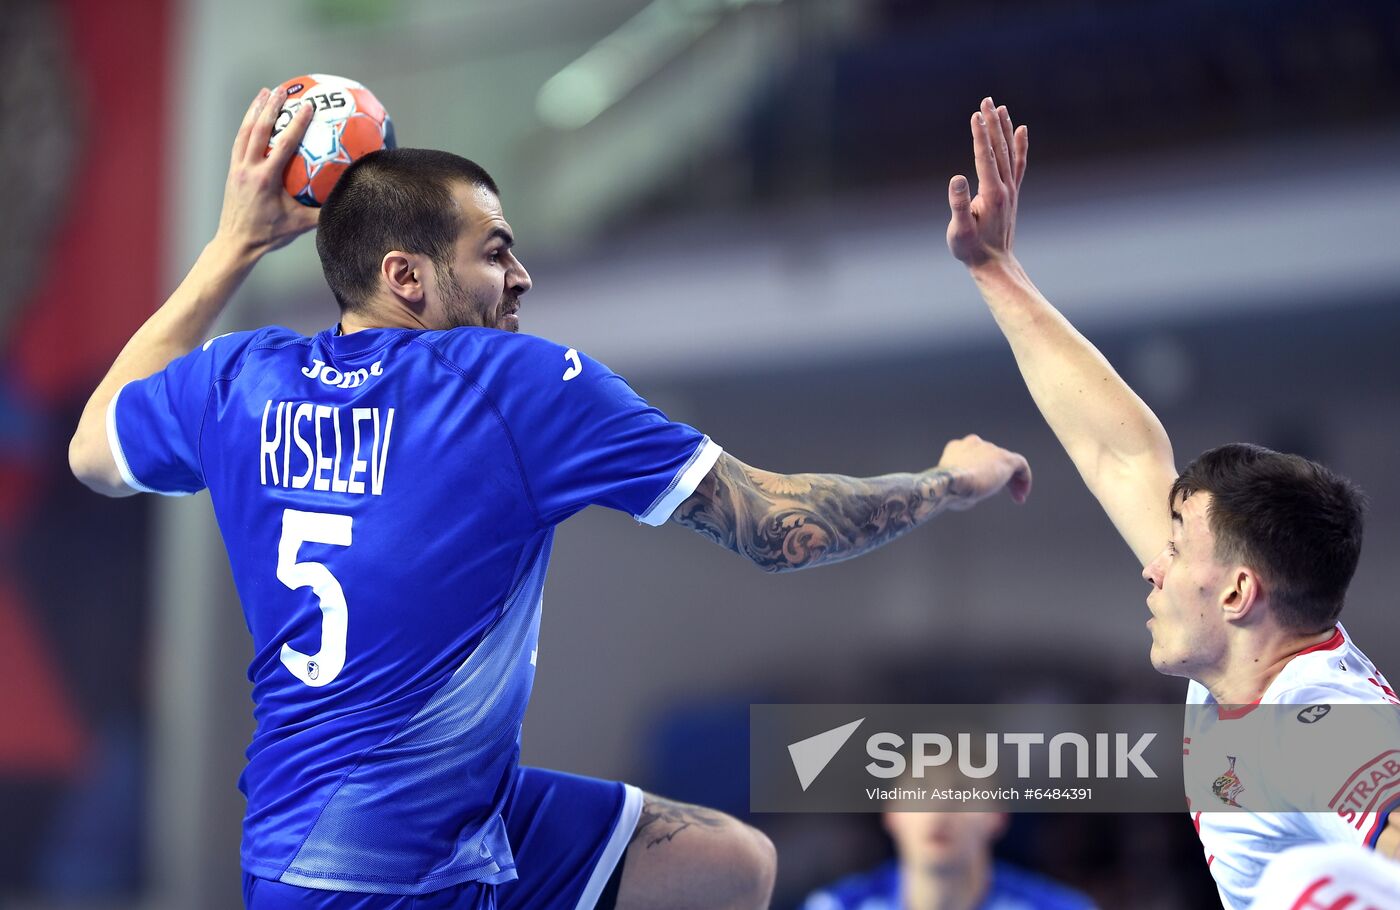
(155, 425)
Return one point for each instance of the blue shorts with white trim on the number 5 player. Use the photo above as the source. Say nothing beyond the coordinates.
(568, 835)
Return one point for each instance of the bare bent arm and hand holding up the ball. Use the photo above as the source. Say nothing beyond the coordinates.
(258, 218)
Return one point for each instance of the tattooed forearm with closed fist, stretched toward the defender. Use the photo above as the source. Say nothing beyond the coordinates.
(783, 523)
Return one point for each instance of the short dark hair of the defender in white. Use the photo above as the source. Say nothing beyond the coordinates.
(1291, 520)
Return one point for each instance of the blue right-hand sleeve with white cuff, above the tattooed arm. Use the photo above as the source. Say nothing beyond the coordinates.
(586, 439)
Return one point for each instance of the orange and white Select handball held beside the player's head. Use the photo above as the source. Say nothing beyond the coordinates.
(348, 124)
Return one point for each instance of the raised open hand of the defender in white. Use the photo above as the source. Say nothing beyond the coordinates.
(983, 226)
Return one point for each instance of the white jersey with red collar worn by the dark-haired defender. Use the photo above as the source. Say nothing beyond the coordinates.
(1224, 765)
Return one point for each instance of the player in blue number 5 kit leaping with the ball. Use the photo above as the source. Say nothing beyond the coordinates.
(387, 492)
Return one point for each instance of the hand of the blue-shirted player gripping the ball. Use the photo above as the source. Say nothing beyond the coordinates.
(260, 216)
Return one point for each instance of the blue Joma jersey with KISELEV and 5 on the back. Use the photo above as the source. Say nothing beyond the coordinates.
(388, 502)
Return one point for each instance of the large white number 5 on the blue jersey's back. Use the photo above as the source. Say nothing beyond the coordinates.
(297, 528)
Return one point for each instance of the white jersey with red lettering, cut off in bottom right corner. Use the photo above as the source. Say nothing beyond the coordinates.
(1329, 877)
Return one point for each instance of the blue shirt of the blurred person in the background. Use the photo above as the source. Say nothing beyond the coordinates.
(1011, 890)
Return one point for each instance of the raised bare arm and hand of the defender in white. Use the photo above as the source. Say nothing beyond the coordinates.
(1114, 439)
